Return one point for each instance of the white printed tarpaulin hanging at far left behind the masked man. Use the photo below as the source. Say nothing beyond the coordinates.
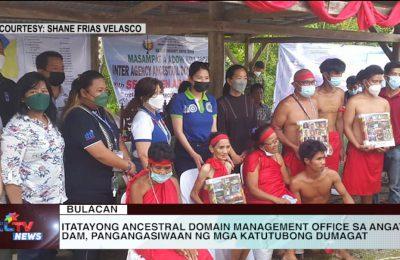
(22, 50)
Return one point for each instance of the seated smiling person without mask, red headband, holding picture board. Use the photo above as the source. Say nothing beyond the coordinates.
(217, 166)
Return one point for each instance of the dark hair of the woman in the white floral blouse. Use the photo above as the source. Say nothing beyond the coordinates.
(28, 82)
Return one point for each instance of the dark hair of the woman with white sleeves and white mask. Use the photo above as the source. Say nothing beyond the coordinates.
(144, 90)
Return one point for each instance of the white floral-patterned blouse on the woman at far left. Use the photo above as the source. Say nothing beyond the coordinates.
(32, 158)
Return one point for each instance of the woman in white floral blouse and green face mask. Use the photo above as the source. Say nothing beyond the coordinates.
(32, 153)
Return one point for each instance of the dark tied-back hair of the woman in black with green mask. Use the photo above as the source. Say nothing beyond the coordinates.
(83, 81)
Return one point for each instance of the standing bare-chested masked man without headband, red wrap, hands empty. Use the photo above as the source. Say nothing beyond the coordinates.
(330, 100)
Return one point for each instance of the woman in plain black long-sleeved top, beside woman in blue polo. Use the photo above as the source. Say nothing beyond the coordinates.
(236, 112)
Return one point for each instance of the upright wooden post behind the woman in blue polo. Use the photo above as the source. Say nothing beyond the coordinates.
(216, 51)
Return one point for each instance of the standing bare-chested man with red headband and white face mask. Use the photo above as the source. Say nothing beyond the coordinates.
(299, 106)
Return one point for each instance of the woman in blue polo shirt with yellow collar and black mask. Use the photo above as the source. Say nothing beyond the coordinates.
(194, 117)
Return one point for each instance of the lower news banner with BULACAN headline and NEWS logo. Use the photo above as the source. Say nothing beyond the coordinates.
(141, 227)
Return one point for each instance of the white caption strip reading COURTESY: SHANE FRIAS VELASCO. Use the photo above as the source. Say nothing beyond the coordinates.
(73, 28)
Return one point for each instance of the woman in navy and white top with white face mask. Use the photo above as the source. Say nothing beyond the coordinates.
(147, 126)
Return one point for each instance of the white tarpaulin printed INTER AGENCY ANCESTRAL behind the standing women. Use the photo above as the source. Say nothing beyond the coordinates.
(167, 58)
